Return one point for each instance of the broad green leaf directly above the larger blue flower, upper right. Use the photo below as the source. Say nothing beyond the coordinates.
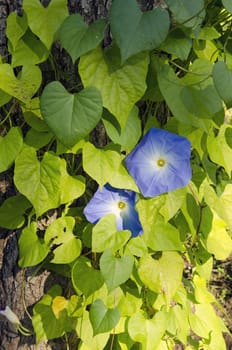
(190, 101)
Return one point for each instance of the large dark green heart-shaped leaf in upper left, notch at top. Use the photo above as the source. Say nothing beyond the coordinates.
(70, 116)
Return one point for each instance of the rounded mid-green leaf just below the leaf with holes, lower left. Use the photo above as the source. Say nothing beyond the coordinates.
(85, 278)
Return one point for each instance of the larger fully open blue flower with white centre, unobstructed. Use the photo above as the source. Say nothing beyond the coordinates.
(160, 162)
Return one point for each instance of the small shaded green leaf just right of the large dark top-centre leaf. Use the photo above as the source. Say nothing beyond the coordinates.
(177, 44)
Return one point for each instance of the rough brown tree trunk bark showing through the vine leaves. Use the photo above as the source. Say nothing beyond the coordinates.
(21, 289)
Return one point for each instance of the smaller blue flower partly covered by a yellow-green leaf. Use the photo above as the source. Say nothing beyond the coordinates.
(109, 200)
